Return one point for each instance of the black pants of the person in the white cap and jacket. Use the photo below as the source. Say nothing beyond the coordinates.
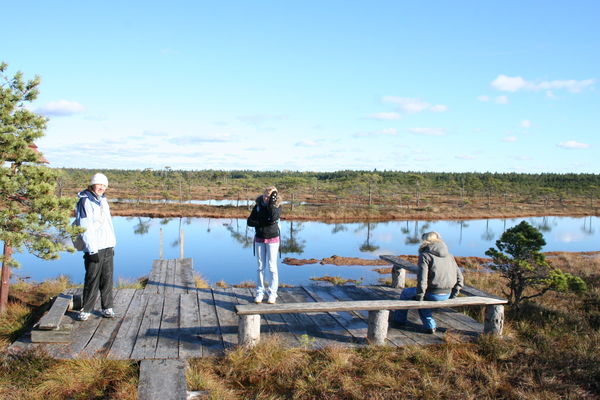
(98, 277)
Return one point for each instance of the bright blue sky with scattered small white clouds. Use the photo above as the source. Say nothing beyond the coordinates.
(446, 86)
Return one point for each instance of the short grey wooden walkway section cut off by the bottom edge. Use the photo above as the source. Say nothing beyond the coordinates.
(162, 379)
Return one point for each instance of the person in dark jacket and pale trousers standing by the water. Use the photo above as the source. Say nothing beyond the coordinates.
(264, 218)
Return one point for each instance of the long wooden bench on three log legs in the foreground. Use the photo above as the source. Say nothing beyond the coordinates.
(249, 314)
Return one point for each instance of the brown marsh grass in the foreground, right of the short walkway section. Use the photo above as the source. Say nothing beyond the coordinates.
(551, 350)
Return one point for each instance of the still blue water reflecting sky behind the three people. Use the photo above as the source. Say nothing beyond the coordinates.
(221, 249)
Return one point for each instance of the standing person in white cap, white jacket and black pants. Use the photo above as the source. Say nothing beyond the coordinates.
(97, 243)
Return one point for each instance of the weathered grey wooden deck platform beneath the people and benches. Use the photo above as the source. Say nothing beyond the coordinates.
(171, 319)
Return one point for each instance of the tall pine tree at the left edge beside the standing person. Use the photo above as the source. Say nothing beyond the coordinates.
(31, 215)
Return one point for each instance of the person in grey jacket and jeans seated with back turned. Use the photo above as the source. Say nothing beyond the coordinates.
(438, 278)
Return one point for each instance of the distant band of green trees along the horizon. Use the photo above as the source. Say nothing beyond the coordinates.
(367, 186)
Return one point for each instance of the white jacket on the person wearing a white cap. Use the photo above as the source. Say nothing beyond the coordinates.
(93, 214)
